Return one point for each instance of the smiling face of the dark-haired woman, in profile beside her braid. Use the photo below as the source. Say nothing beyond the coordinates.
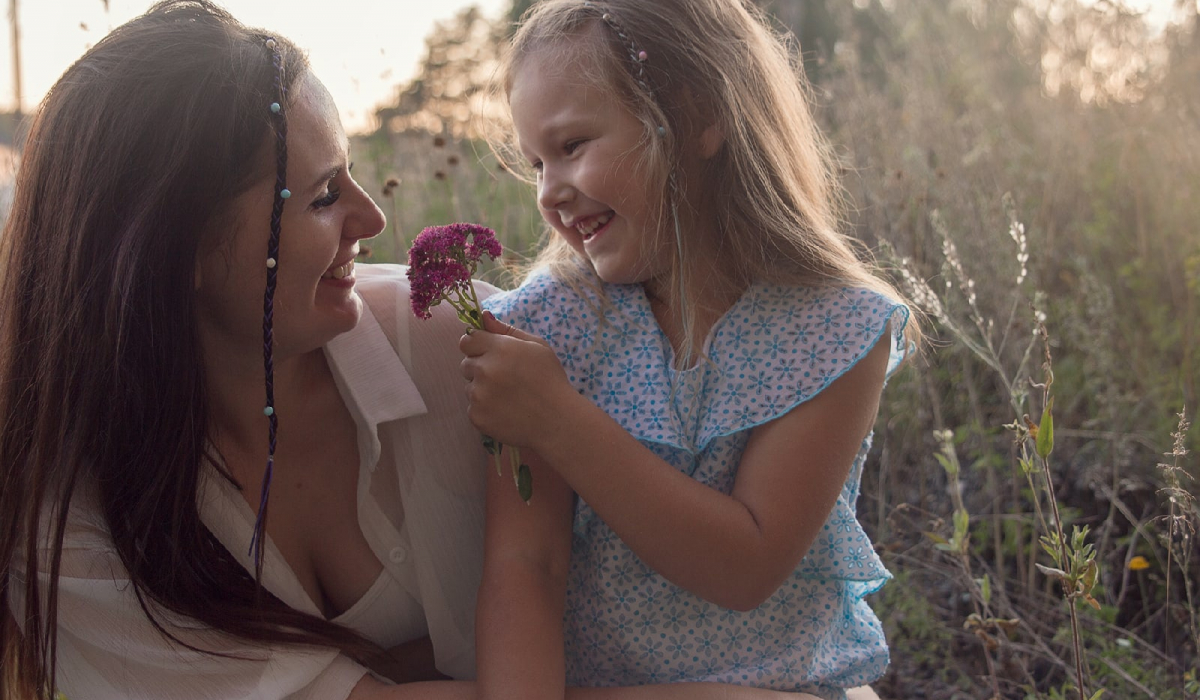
(322, 225)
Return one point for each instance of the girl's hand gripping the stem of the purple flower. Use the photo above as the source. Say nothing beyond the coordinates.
(515, 384)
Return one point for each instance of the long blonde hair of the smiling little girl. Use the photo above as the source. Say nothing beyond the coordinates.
(770, 192)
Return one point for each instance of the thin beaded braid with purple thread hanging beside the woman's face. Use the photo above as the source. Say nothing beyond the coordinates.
(280, 127)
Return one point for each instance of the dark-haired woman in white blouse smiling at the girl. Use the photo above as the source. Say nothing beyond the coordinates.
(164, 530)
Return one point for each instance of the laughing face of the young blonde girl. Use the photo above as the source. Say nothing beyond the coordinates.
(586, 149)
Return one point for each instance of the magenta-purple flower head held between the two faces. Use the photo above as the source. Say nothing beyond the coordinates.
(442, 262)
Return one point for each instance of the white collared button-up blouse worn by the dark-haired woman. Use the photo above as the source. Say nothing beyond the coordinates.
(421, 507)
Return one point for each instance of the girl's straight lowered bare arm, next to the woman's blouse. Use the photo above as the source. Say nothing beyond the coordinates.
(519, 618)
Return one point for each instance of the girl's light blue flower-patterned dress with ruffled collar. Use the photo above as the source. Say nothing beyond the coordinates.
(776, 349)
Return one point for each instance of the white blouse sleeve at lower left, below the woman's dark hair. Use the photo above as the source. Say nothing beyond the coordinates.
(110, 650)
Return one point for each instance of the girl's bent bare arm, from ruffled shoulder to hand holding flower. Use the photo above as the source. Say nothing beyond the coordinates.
(734, 551)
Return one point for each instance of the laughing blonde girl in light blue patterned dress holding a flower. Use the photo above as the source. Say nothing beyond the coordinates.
(699, 357)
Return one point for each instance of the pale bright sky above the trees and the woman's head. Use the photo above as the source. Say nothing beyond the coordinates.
(362, 50)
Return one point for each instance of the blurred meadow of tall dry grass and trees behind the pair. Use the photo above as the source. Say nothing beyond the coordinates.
(1025, 170)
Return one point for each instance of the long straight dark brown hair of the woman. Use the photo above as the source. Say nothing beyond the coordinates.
(137, 152)
